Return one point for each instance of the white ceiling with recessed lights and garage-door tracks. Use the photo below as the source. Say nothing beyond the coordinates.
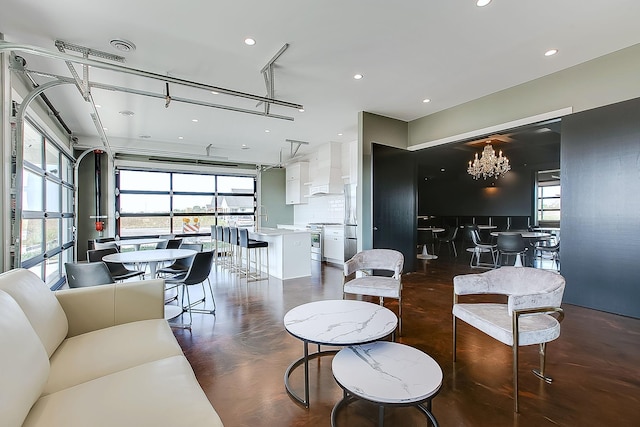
(448, 51)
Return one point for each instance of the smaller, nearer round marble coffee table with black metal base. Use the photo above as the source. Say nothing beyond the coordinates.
(387, 374)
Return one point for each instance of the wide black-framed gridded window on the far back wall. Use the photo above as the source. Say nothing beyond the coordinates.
(185, 204)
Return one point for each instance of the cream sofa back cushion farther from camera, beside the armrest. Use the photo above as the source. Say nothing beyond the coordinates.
(39, 304)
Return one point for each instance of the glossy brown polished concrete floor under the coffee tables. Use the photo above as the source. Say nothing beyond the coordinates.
(240, 355)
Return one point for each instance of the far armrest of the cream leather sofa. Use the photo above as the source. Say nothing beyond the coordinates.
(97, 307)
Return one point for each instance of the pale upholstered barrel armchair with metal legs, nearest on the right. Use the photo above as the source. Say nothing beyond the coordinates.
(531, 315)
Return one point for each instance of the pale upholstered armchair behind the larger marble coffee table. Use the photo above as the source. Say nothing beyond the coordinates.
(366, 262)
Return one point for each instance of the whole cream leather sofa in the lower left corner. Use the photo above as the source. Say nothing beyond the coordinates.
(95, 356)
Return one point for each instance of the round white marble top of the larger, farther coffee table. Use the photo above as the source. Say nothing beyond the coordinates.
(340, 322)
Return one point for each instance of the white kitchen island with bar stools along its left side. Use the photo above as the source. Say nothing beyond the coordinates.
(289, 252)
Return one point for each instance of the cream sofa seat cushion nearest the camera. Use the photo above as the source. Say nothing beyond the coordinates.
(160, 393)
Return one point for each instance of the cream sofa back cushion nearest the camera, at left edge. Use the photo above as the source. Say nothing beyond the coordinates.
(24, 364)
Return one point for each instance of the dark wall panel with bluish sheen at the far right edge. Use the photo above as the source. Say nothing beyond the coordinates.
(600, 247)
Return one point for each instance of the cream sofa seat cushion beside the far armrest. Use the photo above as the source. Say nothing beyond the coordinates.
(105, 351)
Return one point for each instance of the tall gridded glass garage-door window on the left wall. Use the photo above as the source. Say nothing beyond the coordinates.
(46, 240)
